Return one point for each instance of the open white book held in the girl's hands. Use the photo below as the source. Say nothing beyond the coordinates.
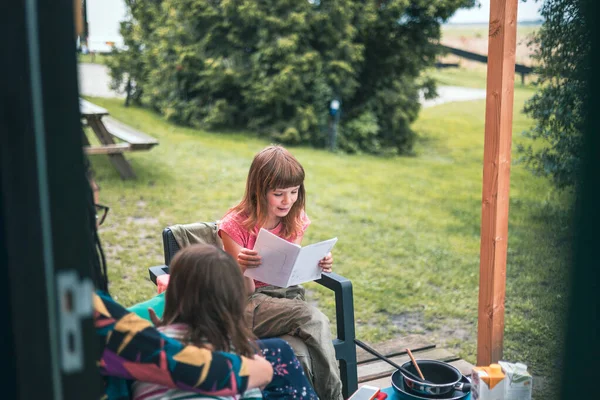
(285, 264)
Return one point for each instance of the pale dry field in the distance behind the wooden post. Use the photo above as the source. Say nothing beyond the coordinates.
(474, 37)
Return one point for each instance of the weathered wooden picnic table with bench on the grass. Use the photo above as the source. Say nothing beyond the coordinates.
(106, 130)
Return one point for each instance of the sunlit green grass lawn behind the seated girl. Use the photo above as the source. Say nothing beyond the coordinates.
(408, 227)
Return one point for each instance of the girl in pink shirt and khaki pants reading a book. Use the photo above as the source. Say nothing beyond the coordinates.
(274, 200)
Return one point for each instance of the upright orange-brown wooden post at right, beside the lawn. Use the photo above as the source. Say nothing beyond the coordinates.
(496, 179)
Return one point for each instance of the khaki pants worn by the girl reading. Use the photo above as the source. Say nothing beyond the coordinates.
(276, 312)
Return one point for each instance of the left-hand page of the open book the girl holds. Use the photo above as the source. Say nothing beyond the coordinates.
(278, 257)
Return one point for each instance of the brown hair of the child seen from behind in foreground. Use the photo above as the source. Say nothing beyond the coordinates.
(206, 291)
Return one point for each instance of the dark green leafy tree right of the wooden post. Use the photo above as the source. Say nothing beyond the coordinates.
(558, 107)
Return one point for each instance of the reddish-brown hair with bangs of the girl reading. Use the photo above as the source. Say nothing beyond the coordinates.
(273, 168)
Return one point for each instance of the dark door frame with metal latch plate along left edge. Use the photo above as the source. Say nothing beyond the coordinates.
(43, 209)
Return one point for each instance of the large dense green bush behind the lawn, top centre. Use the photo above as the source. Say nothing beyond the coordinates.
(273, 66)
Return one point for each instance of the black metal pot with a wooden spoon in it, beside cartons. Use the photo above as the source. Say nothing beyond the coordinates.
(441, 377)
